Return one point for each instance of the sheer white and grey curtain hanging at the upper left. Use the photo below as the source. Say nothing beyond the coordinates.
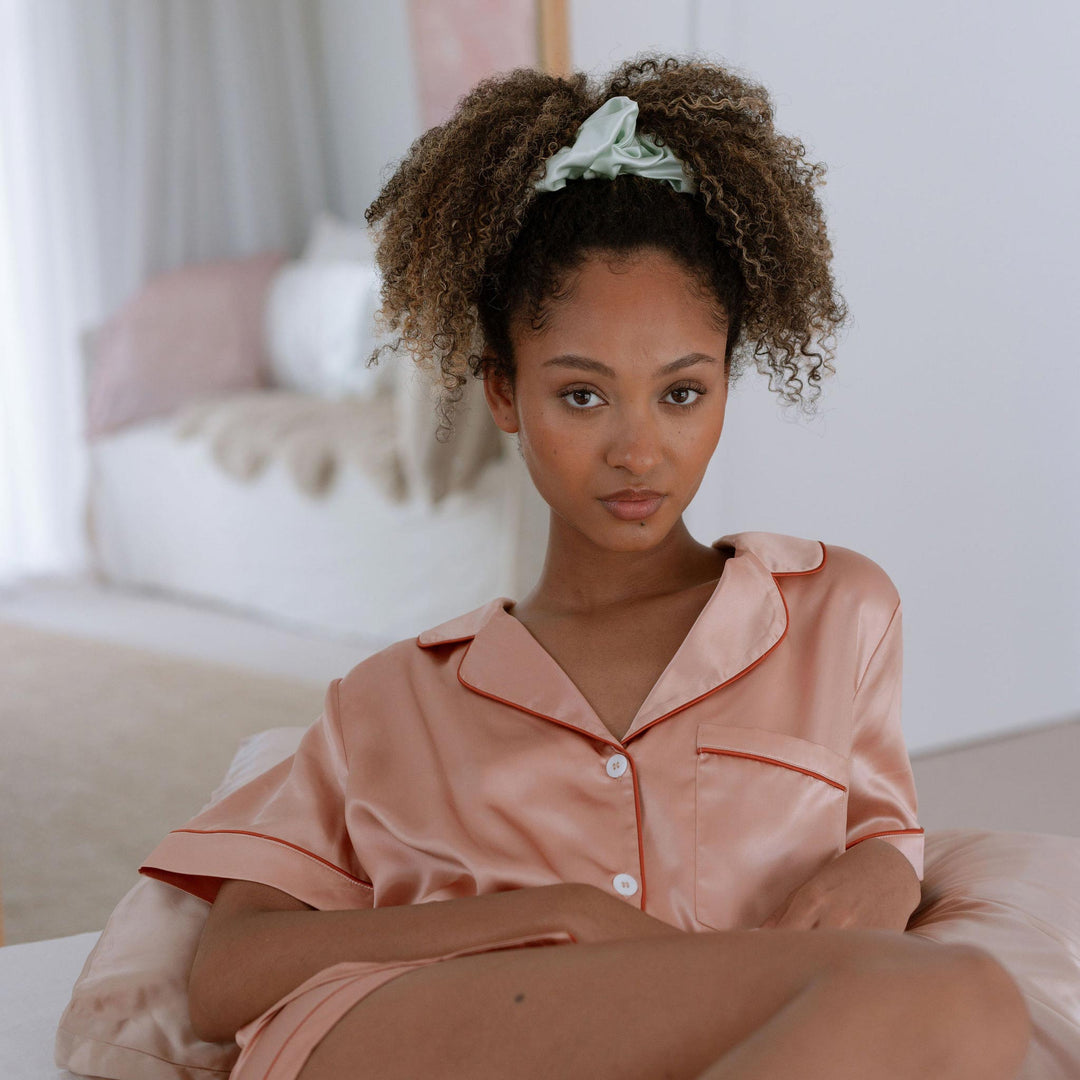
(134, 138)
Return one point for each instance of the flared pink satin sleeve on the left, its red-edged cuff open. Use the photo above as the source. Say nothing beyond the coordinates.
(287, 829)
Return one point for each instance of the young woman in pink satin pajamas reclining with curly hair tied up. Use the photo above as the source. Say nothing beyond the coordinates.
(584, 834)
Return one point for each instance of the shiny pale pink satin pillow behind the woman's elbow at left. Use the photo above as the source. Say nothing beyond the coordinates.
(128, 1018)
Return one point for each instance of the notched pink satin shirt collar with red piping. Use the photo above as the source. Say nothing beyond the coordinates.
(744, 620)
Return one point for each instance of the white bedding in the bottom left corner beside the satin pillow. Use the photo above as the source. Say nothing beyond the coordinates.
(36, 983)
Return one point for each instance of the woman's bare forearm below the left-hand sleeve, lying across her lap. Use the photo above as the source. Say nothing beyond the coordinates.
(251, 961)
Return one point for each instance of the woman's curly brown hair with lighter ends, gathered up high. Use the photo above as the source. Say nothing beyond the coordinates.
(466, 246)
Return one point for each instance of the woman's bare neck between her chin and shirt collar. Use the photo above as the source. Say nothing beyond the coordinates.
(582, 578)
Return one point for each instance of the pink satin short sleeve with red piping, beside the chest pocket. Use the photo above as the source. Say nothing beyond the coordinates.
(882, 801)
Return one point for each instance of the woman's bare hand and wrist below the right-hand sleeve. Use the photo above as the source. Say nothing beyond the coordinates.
(871, 887)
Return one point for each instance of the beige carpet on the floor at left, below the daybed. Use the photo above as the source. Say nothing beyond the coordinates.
(103, 750)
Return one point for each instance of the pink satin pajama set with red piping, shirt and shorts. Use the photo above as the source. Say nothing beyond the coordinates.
(466, 762)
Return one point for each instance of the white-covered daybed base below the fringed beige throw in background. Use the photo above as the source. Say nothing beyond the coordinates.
(350, 563)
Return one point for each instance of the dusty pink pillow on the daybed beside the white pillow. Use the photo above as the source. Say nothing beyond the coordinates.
(191, 333)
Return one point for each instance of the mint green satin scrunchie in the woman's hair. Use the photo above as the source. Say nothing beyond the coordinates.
(606, 145)
